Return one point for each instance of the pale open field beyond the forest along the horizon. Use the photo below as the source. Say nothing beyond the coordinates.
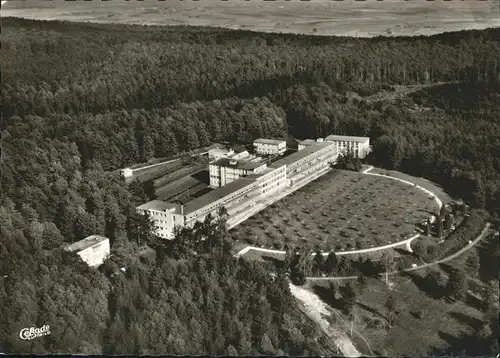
(320, 17)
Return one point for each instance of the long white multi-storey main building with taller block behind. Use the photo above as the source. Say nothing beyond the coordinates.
(245, 189)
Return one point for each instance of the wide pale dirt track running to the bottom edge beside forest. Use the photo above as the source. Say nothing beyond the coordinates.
(316, 310)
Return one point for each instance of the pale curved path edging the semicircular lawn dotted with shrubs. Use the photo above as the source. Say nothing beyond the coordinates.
(406, 242)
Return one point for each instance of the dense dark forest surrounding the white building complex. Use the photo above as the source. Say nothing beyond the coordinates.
(82, 100)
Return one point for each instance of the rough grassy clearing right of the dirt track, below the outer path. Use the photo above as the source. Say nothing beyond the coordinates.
(442, 327)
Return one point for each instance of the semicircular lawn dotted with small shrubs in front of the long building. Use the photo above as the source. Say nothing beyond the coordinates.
(341, 211)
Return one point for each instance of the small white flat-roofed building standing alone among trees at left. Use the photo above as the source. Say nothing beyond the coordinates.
(93, 250)
